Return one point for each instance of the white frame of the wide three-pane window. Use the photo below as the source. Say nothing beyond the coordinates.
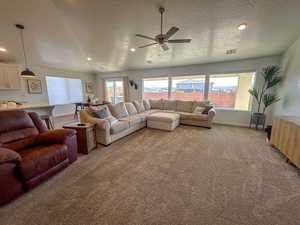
(207, 77)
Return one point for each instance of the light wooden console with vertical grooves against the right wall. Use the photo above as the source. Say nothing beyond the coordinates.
(286, 137)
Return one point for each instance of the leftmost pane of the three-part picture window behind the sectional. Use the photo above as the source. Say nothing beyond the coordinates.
(156, 88)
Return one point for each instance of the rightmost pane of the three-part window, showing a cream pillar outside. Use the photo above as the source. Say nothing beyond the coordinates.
(230, 90)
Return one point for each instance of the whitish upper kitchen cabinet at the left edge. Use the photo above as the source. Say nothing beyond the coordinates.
(10, 77)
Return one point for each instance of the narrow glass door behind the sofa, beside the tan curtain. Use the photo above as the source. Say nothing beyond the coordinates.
(114, 91)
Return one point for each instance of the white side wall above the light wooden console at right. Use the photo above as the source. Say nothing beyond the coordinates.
(290, 88)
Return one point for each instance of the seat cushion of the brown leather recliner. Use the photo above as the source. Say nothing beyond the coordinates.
(39, 159)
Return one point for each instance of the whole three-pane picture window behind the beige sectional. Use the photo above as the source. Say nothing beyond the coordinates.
(227, 91)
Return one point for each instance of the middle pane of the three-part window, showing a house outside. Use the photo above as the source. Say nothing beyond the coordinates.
(188, 88)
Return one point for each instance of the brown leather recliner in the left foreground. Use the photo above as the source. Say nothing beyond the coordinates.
(29, 153)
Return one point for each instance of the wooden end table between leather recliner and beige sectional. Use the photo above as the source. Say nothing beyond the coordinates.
(86, 140)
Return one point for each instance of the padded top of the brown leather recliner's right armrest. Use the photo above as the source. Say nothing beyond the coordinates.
(59, 136)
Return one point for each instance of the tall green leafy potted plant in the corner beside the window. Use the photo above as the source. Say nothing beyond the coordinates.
(263, 95)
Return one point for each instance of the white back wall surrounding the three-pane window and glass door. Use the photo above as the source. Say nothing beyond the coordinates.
(241, 118)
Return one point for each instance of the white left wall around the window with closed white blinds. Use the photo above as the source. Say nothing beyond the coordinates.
(23, 95)
